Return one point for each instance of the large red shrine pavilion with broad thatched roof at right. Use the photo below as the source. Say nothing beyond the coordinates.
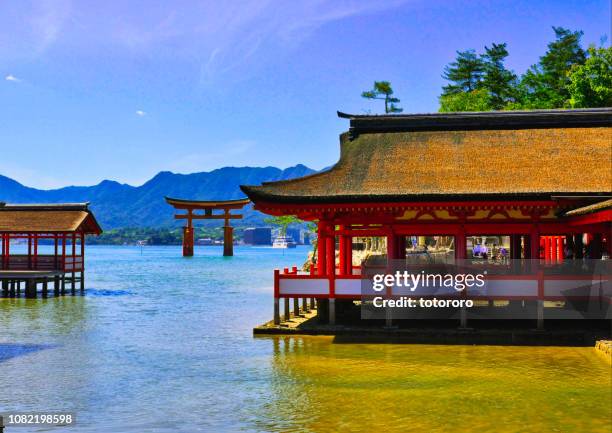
(512, 185)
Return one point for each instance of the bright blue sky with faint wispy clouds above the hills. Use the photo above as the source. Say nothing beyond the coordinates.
(123, 89)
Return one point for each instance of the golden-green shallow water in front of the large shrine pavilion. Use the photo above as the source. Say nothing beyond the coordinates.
(321, 386)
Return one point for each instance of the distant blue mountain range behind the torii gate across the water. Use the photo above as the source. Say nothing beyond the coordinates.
(119, 205)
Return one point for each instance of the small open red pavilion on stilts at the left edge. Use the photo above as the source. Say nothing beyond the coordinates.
(42, 244)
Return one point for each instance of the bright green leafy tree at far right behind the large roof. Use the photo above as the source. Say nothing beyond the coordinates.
(590, 84)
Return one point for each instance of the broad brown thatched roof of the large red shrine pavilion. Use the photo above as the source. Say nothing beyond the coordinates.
(546, 153)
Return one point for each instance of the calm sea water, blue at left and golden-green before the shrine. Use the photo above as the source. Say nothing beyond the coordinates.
(162, 343)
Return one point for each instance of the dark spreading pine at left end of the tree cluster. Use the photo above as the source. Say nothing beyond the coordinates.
(464, 74)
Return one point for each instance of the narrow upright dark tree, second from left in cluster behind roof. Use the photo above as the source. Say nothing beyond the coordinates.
(499, 82)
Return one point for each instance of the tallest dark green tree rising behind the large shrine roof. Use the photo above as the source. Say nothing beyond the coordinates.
(545, 85)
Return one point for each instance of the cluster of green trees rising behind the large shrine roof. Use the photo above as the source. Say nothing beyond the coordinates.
(565, 76)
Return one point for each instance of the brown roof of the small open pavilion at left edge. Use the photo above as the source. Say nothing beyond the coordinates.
(48, 218)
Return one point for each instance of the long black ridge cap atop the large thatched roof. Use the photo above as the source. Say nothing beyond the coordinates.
(464, 121)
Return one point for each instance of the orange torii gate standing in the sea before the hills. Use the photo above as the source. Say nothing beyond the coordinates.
(208, 207)
